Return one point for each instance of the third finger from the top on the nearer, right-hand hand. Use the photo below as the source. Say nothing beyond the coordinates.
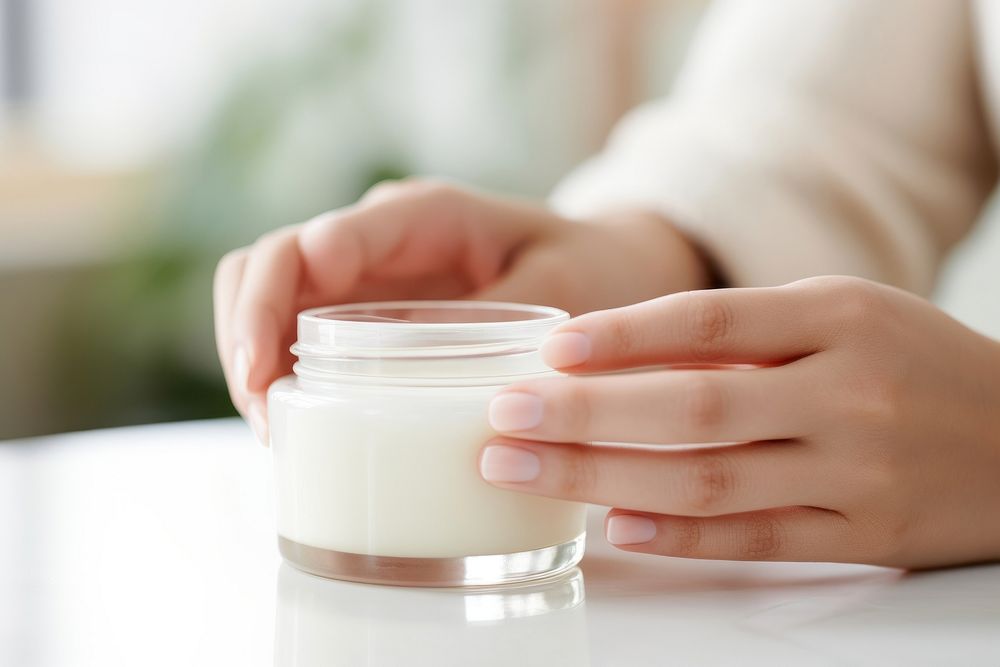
(691, 482)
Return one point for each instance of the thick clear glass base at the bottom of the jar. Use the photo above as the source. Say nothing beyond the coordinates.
(487, 570)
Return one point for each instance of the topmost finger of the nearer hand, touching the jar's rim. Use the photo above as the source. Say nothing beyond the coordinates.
(749, 325)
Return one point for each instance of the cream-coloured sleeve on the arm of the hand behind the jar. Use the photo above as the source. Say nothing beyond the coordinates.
(808, 137)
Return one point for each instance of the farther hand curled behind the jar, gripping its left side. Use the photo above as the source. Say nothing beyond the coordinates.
(428, 240)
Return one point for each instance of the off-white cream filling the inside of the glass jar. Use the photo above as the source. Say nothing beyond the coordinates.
(393, 472)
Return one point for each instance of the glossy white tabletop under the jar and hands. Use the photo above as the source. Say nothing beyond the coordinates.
(155, 546)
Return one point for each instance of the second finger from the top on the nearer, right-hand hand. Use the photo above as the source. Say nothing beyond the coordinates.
(664, 406)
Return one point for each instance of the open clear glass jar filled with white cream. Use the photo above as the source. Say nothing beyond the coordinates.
(376, 440)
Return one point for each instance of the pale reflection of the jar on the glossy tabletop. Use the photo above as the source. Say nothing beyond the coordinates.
(327, 622)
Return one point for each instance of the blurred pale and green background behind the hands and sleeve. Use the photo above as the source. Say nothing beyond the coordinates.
(139, 141)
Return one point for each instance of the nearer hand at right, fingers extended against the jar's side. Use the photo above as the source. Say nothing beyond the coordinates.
(869, 423)
